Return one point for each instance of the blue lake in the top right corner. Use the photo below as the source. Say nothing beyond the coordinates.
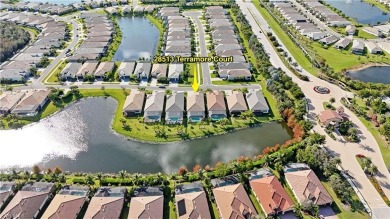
(361, 11)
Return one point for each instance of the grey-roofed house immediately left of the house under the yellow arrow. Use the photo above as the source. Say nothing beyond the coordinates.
(174, 108)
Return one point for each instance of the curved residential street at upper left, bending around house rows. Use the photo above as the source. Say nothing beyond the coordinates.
(75, 39)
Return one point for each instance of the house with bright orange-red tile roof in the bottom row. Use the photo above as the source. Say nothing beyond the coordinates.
(271, 195)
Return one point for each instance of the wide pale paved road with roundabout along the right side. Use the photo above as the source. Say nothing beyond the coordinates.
(347, 152)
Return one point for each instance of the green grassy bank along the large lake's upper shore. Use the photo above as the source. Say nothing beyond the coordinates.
(143, 132)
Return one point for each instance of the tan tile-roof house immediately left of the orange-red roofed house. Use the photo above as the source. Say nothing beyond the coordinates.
(233, 202)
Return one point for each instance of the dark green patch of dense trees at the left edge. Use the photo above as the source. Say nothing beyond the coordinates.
(12, 38)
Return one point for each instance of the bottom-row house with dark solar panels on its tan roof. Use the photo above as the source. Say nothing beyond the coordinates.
(191, 201)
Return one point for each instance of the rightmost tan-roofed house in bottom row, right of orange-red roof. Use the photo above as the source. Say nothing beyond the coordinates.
(306, 186)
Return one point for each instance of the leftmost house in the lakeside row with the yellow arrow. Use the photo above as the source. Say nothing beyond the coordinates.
(134, 103)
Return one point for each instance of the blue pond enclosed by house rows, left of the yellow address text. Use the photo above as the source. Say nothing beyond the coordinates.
(139, 39)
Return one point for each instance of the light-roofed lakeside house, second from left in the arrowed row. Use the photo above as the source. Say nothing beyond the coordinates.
(154, 107)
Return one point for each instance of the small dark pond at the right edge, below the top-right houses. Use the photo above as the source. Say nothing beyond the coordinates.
(375, 74)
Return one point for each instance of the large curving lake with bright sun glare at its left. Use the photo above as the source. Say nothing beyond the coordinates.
(79, 138)
